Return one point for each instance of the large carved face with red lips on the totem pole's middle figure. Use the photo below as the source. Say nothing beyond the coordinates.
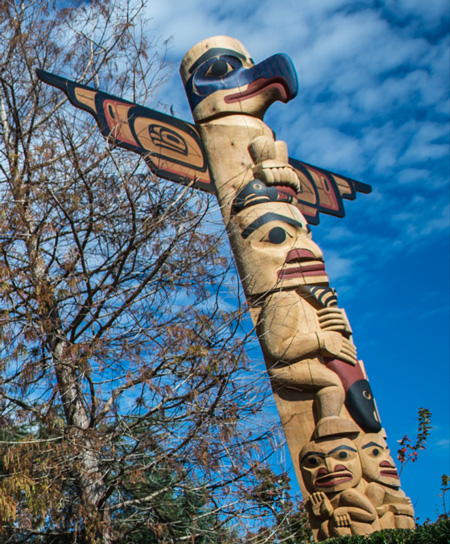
(274, 248)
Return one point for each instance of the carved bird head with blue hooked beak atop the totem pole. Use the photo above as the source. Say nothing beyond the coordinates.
(220, 77)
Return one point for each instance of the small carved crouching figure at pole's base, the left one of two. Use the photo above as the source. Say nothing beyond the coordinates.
(337, 505)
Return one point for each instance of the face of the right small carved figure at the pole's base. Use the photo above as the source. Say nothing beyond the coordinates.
(377, 463)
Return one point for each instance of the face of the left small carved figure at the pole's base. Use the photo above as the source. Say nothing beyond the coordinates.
(330, 466)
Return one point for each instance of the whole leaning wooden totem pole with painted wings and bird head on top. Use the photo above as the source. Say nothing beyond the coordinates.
(347, 477)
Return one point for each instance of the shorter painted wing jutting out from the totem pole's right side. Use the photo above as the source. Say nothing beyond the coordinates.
(323, 191)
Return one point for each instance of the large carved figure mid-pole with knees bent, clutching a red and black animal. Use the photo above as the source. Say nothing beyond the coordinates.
(301, 337)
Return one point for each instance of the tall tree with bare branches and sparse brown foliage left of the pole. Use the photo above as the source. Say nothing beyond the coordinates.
(123, 411)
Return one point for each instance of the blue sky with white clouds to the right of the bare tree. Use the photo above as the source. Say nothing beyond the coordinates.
(373, 104)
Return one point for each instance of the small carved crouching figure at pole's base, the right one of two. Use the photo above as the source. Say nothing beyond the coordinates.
(383, 483)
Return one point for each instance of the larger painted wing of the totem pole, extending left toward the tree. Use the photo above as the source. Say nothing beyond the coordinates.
(171, 147)
